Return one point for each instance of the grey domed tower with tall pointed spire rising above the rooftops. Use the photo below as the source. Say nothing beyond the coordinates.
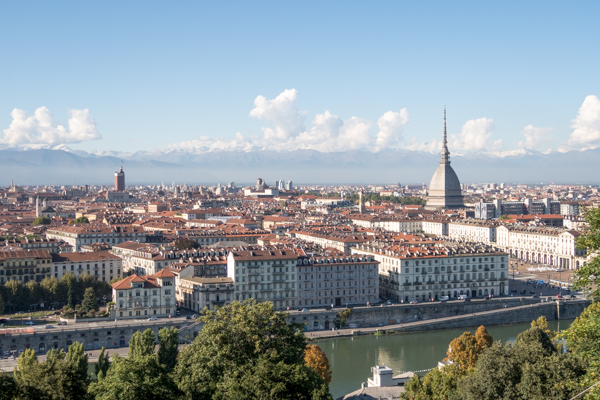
(444, 189)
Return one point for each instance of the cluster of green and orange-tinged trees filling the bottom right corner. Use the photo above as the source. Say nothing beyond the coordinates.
(535, 366)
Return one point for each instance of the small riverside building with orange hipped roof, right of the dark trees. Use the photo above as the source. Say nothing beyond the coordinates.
(145, 296)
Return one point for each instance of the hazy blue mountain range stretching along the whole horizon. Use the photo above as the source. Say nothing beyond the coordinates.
(63, 166)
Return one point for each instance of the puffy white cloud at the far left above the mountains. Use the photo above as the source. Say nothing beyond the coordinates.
(41, 128)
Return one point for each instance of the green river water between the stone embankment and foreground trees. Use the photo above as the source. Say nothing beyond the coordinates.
(351, 358)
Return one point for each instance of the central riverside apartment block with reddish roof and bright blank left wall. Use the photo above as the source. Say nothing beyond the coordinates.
(264, 275)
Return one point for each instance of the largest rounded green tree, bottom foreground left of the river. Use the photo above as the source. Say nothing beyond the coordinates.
(248, 350)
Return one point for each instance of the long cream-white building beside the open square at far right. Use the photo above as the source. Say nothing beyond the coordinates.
(545, 245)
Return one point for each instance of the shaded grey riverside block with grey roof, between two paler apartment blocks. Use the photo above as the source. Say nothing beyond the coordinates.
(339, 281)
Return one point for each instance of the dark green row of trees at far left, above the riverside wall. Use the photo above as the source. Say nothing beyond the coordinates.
(69, 289)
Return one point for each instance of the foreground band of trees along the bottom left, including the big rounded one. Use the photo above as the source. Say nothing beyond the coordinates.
(244, 351)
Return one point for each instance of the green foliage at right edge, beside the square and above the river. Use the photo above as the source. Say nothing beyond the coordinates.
(587, 277)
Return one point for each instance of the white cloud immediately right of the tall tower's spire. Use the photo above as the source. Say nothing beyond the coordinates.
(475, 135)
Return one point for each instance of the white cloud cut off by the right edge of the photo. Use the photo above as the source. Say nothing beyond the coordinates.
(586, 126)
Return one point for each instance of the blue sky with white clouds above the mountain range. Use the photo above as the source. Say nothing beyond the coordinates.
(330, 76)
